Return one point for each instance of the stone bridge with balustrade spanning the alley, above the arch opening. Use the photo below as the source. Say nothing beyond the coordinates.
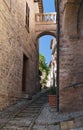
(45, 22)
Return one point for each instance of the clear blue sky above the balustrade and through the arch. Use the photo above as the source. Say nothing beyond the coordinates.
(44, 42)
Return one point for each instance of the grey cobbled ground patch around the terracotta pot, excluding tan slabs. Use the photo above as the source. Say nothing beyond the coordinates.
(48, 116)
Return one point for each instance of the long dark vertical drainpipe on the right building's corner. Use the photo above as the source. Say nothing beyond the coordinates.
(58, 44)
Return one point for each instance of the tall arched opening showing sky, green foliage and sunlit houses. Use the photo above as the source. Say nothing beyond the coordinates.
(47, 61)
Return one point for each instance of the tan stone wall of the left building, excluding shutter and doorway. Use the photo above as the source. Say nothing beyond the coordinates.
(15, 42)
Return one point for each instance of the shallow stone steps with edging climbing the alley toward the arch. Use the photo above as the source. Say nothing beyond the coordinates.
(24, 120)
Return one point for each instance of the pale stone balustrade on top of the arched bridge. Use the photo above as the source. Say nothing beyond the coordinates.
(47, 17)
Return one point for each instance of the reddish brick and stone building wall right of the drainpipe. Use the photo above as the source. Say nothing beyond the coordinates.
(70, 56)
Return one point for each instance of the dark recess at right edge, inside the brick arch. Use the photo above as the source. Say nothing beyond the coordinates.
(80, 20)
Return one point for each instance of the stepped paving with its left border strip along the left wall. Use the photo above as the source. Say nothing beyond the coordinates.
(22, 115)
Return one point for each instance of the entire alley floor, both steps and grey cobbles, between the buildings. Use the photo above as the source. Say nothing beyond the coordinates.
(36, 114)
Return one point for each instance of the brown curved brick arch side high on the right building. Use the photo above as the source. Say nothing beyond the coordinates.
(71, 17)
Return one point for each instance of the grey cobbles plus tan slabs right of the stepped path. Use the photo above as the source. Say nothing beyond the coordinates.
(49, 119)
